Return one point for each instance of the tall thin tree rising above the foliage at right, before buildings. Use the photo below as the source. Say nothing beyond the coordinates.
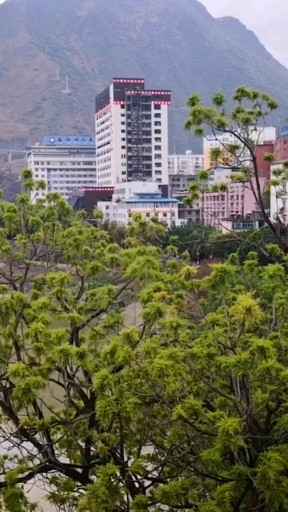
(243, 117)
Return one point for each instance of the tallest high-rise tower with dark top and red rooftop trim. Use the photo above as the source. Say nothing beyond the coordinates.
(131, 127)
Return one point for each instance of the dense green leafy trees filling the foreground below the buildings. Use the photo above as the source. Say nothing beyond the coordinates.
(179, 406)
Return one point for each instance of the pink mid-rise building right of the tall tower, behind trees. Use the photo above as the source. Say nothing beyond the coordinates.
(237, 202)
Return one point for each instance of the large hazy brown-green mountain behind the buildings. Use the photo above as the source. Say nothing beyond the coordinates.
(174, 44)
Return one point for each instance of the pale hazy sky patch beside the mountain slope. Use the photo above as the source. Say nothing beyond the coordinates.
(267, 18)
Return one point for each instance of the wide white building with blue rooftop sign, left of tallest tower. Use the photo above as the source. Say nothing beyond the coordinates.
(64, 163)
